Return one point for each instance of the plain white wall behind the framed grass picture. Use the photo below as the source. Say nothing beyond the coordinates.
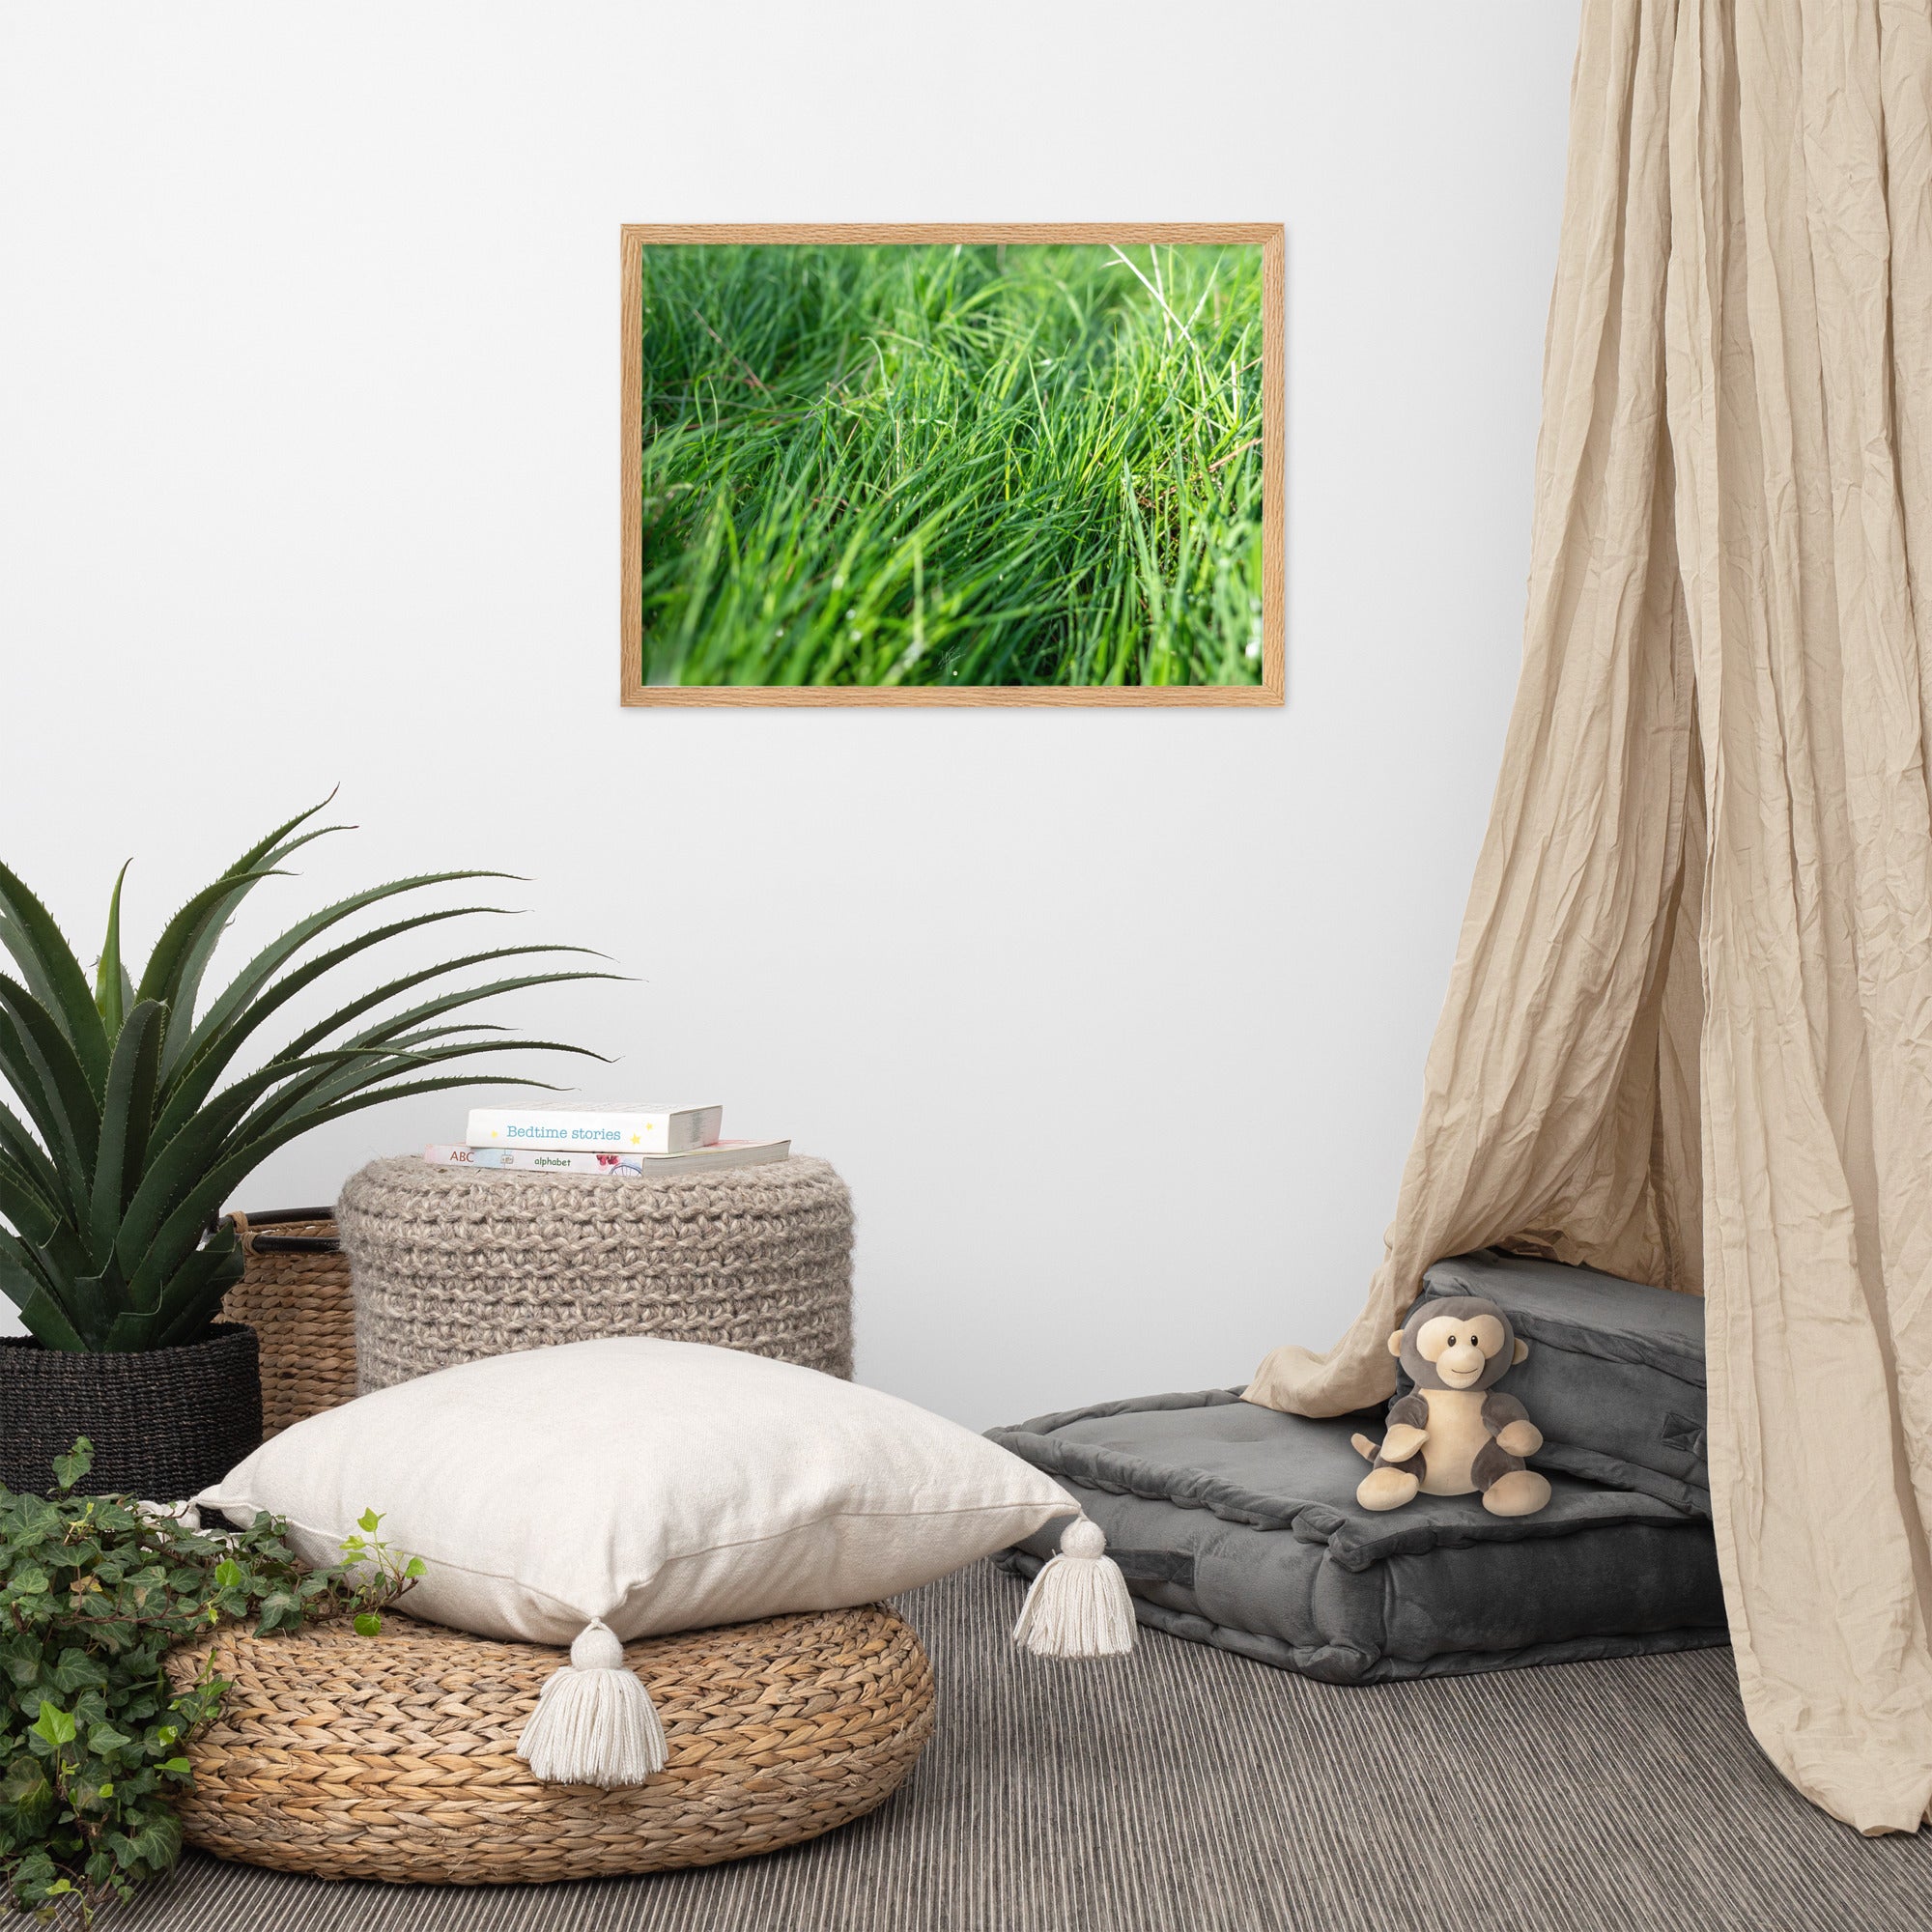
(308, 474)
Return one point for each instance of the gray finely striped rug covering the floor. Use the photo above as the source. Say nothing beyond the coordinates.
(1193, 1792)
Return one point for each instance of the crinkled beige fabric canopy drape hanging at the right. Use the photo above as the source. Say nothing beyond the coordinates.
(1690, 1029)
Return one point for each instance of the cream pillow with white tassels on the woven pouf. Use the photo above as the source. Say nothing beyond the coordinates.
(608, 1491)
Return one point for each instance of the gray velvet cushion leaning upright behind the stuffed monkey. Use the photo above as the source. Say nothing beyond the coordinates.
(1614, 1377)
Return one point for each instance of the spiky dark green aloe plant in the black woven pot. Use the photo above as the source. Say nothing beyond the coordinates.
(125, 1141)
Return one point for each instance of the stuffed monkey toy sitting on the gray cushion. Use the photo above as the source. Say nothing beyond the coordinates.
(1456, 1435)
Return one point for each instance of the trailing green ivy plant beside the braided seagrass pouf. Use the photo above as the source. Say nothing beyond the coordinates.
(96, 1591)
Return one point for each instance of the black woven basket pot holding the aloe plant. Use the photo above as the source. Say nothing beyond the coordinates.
(165, 1423)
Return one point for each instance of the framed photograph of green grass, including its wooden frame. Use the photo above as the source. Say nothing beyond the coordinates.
(953, 465)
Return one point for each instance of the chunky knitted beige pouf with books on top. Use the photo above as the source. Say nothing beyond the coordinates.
(453, 1264)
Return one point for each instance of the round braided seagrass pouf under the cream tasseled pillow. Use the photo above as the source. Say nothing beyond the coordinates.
(395, 1757)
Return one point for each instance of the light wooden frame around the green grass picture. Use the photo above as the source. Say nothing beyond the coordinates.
(1268, 237)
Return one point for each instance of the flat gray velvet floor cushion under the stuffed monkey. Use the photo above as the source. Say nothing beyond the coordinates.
(1237, 1527)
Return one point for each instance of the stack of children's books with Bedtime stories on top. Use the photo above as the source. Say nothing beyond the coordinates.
(604, 1141)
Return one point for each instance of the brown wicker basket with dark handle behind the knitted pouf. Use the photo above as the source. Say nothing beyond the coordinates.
(297, 1297)
